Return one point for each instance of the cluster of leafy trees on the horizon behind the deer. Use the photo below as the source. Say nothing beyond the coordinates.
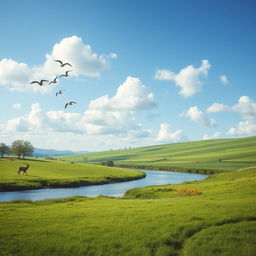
(20, 148)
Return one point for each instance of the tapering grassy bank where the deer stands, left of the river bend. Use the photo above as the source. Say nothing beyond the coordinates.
(47, 173)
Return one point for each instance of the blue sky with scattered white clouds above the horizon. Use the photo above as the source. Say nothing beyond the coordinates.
(143, 72)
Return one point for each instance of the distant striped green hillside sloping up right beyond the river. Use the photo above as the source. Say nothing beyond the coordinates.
(199, 155)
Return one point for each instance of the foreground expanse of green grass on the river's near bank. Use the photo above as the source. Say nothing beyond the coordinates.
(218, 218)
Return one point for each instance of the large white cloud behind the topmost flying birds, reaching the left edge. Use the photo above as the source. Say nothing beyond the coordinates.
(17, 76)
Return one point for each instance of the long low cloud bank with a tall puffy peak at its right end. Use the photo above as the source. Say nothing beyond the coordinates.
(105, 115)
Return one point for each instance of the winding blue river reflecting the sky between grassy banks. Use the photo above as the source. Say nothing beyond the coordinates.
(115, 190)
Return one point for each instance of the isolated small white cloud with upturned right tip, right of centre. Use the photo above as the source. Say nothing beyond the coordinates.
(189, 79)
